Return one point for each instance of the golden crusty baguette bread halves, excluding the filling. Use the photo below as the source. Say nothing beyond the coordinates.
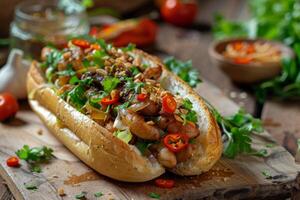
(105, 153)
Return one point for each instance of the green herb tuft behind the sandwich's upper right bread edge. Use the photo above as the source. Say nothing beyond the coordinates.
(184, 70)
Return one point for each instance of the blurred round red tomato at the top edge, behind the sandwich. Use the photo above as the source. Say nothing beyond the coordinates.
(179, 12)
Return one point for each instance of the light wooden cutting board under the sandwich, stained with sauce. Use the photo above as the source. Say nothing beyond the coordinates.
(241, 178)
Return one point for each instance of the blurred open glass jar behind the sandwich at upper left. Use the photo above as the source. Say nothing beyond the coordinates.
(38, 23)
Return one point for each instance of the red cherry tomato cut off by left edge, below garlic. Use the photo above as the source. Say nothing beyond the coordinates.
(8, 106)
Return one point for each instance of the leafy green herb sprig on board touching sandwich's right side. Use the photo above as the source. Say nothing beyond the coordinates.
(238, 129)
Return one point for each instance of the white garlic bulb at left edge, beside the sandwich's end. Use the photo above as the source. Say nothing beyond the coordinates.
(13, 74)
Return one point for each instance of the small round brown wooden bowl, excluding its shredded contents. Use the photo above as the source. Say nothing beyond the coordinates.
(247, 73)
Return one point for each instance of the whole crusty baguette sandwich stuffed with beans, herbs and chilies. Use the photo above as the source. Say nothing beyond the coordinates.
(122, 112)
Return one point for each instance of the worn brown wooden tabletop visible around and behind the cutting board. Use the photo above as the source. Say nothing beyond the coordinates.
(280, 118)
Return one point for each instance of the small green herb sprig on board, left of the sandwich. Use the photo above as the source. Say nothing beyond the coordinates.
(35, 156)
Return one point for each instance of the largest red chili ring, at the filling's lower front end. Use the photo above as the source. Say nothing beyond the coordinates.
(176, 142)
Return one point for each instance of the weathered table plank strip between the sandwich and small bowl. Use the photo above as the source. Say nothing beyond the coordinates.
(193, 45)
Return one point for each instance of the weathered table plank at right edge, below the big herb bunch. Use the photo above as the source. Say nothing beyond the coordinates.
(282, 119)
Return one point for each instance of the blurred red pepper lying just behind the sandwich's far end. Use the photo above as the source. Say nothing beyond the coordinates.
(143, 34)
